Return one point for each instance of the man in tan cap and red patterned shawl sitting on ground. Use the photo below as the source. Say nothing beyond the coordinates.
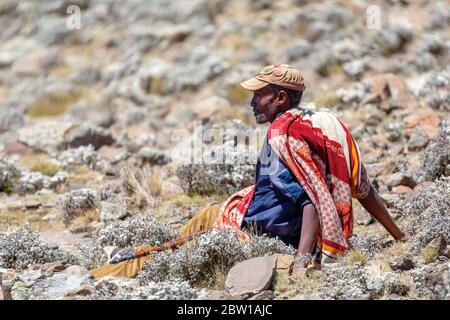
(306, 175)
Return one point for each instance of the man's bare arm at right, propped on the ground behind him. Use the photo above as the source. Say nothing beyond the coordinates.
(375, 206)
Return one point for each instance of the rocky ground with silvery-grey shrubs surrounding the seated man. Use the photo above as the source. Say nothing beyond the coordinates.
(95, 121)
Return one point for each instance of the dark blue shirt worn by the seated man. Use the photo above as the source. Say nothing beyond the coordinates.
(277, 205)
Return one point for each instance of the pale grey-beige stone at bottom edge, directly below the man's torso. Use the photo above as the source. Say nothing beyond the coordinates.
(251, 277)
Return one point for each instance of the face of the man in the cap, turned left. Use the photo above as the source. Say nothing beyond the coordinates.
(265, 105)
